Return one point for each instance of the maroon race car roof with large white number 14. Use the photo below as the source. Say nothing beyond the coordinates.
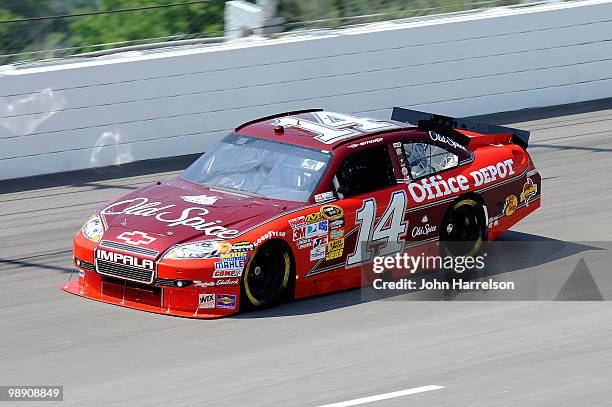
(316, 128)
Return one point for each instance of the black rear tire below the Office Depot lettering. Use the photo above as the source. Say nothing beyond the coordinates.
(463, 229)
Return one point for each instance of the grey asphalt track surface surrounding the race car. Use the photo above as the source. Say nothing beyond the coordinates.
(328, 349)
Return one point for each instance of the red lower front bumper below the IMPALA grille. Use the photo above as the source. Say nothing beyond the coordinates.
(189, 302)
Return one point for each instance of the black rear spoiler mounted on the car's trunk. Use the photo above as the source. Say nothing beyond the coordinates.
(449, 126)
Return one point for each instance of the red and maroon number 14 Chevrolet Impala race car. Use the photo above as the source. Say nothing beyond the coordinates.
(293, 205)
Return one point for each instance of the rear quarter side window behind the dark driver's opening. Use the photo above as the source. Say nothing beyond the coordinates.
(426, 159)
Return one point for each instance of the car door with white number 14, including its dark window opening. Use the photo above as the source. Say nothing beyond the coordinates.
(372, 204)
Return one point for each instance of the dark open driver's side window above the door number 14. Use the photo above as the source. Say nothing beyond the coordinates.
(365, 171)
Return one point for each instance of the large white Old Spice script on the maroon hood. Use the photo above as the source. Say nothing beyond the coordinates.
(191, 217)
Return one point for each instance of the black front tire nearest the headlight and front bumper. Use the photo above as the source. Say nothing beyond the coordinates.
(267, 274)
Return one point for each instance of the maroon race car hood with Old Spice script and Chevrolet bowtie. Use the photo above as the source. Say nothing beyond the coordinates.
(177, 211)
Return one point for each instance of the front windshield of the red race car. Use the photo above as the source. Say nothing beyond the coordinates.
(267, 168)
